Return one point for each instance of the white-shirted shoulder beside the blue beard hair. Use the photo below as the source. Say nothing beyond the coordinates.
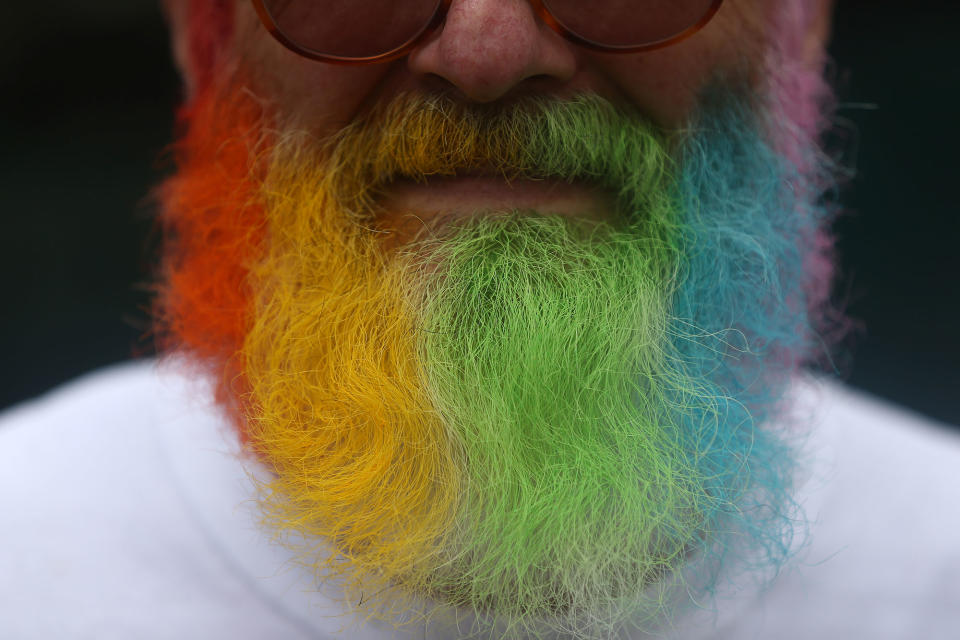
(883, 558)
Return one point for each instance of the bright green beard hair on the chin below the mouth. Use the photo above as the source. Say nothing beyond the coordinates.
(543, 343)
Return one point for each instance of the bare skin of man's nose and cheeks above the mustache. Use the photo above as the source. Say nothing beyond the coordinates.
(497, 50)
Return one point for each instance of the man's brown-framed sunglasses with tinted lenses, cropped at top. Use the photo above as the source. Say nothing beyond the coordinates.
(370, 31)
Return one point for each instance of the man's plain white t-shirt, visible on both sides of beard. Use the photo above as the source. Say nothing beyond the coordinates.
(127, 513)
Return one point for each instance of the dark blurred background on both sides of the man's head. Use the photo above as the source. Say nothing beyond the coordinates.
(87, 94)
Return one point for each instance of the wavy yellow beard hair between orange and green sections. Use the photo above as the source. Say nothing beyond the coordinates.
(336, 404)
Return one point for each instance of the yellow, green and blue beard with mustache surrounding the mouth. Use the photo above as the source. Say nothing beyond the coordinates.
(539, 423)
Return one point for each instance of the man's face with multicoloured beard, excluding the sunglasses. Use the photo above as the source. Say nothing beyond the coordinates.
(506, 319)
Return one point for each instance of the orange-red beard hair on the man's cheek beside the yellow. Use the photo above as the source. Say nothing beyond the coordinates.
(213, 226)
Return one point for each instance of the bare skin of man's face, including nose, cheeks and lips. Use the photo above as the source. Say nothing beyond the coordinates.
(495, 52)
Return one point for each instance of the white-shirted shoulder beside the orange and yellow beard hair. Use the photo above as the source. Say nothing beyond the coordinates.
(101, 538)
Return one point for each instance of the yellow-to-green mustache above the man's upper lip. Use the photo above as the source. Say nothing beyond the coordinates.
(585, 138)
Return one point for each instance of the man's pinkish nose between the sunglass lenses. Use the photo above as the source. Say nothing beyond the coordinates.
(488, 48)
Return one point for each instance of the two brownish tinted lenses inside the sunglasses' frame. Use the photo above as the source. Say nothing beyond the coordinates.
(368, 28)
